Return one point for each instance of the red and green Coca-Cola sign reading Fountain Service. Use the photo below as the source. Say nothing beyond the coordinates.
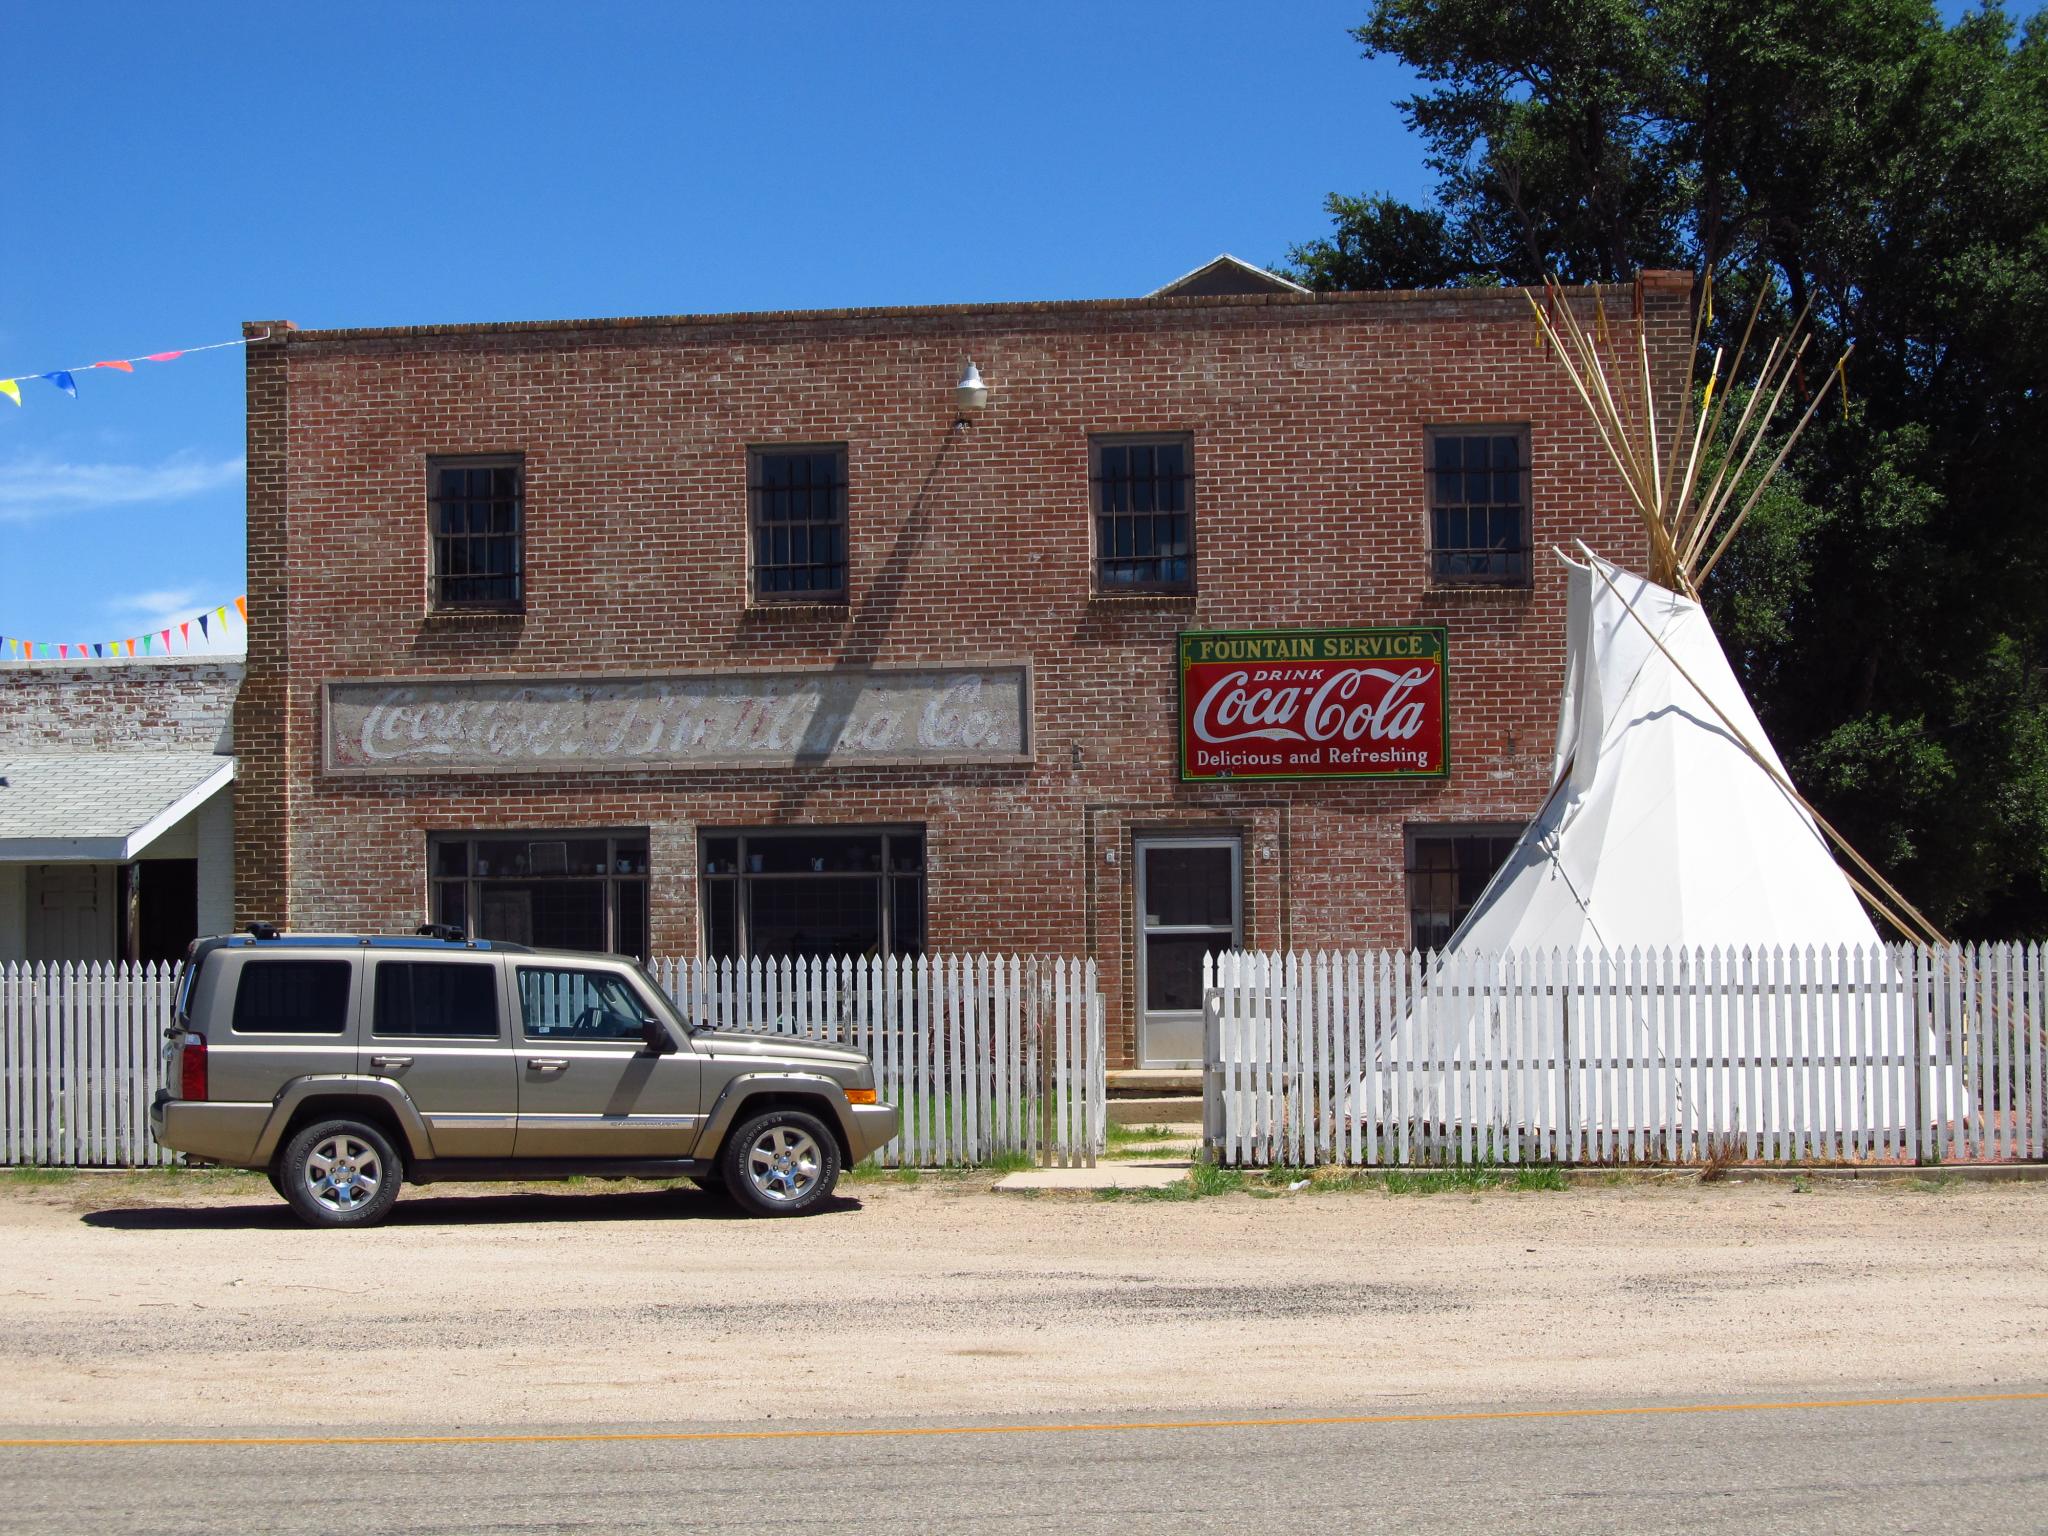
(1314, 703)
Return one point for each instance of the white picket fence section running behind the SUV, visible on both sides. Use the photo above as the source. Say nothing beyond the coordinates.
(984, 1056)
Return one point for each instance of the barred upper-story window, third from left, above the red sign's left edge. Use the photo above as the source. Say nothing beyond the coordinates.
(1144, 503)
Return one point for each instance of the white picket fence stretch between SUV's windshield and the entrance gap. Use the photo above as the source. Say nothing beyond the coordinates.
(986, 1056)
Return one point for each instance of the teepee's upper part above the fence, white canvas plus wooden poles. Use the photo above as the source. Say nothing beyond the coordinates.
(1672, 820)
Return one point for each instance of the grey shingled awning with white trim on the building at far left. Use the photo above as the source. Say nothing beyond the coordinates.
(101, 806)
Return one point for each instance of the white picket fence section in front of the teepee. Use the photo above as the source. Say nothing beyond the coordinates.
(1885, 1056)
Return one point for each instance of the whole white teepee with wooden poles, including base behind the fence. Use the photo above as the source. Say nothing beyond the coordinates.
(1672, 833)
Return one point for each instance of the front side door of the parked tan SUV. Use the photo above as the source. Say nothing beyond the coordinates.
(589, 1086)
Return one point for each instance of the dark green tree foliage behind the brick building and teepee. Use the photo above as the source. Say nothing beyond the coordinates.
(1887, 603)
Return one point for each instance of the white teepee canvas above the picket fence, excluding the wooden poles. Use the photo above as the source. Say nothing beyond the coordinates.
(1662, 828)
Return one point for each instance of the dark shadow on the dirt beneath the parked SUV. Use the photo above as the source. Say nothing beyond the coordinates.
(454, 1211)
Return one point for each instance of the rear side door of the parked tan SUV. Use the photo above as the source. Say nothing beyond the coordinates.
(439, 1031)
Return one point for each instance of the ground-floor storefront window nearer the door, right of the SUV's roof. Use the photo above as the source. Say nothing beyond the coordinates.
(812, 892)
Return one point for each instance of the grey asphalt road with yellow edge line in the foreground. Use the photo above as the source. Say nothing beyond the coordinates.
(1818, 1465)
